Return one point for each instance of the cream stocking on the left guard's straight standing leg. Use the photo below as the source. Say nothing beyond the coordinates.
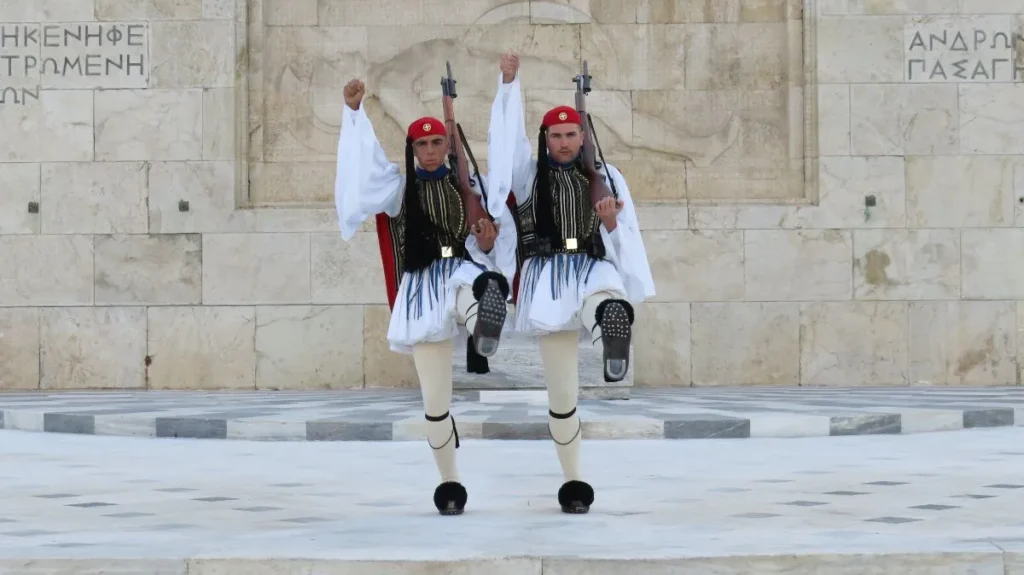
(434, 366)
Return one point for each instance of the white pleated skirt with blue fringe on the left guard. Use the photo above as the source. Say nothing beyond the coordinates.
(425, 309)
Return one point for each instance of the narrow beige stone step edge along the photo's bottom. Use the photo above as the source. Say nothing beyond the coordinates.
(986, 559)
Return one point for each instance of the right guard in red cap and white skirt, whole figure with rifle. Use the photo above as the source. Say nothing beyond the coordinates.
(582, 259)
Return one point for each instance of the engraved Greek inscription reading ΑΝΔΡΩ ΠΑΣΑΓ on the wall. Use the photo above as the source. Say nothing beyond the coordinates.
(962, 50)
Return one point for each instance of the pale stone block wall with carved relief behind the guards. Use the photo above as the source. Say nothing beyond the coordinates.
(832, 192)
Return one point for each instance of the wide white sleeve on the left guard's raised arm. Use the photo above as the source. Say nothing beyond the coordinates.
(366, 184)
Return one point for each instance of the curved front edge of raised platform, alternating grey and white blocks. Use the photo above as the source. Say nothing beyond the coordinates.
(691, 426)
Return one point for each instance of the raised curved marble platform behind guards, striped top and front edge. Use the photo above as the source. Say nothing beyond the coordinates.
(385, 416)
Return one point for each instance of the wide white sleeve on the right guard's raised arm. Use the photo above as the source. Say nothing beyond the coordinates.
(511, 167)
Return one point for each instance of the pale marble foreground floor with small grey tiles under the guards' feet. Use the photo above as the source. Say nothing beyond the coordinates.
(779, 506)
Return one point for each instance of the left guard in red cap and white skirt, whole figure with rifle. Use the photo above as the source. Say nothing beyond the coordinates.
(446, 262)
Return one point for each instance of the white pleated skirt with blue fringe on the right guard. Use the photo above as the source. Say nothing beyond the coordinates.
(552, 291)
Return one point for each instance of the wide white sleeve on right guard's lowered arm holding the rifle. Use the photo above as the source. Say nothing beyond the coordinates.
(624, 246)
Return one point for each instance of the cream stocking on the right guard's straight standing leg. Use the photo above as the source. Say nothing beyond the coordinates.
(560, 352)
